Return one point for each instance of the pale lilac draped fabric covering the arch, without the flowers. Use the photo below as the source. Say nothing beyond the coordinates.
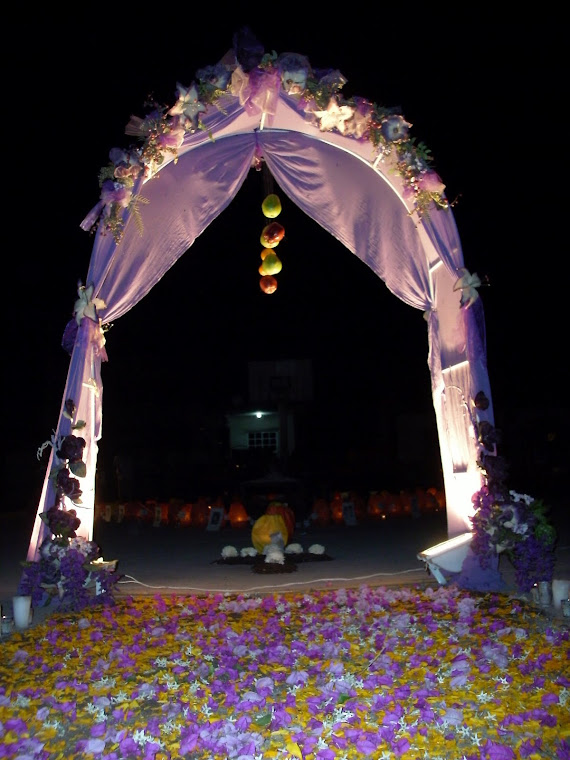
(339, 182)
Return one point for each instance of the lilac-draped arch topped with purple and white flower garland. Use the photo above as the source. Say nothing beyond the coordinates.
(349, 164)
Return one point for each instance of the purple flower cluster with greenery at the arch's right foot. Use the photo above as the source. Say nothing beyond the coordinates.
(507, 522)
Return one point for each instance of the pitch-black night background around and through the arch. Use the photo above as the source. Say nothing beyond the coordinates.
(486, 96)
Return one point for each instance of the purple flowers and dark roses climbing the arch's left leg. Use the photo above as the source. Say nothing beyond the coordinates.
(70, 573)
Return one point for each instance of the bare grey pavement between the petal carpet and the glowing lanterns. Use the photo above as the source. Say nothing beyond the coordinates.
(185, 560)
